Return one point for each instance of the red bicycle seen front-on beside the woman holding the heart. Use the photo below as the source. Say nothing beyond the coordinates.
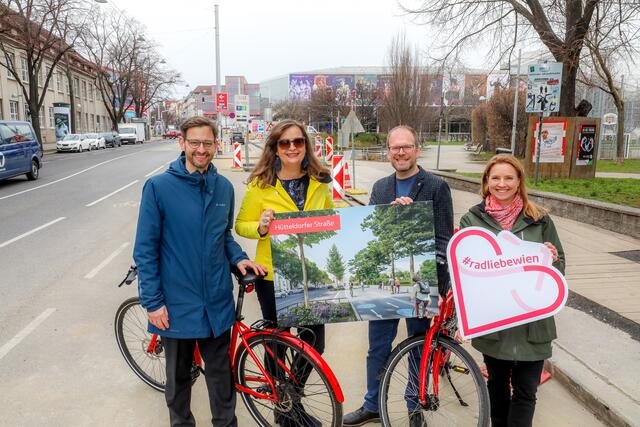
(433, 377)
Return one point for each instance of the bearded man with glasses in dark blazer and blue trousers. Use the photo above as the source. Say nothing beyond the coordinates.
(409, 183)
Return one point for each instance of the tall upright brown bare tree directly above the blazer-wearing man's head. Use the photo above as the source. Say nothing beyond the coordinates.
(406, 96)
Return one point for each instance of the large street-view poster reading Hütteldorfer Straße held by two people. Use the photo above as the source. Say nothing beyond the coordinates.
(351, 264)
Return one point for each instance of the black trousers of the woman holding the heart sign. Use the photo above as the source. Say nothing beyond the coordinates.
(512, 409)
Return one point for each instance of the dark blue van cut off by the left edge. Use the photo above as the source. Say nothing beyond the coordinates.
(19, 150)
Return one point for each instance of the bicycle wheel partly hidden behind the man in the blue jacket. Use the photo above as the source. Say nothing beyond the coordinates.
(134, 343)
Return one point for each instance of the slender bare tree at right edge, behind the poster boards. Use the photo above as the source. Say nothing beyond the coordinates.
(612, 43)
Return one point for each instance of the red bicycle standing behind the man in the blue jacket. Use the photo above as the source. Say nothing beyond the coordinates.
(281, 379)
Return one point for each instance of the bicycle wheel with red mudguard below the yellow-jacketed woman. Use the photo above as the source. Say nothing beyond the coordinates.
(310, 405)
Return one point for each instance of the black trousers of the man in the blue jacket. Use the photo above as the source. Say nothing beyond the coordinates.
(217, 374)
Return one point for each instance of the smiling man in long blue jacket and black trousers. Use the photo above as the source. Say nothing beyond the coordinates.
(183, 251)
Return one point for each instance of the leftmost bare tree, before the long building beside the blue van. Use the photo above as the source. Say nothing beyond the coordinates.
(45, 31)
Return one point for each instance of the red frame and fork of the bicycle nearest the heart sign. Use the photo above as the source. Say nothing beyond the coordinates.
(428, 364)
